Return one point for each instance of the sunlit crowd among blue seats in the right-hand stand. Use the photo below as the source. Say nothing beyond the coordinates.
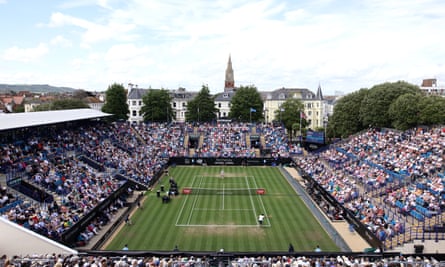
(378, 170)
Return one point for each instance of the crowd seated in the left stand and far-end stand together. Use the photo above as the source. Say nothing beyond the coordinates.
(48, 158)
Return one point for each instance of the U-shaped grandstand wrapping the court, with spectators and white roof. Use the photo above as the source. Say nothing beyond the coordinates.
(67, 173)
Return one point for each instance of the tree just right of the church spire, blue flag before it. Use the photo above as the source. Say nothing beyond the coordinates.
(246, 104)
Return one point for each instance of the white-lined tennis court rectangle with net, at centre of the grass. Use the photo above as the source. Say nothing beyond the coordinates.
(216, 201)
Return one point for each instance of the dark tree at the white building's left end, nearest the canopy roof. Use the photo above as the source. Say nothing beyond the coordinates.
(116, 102)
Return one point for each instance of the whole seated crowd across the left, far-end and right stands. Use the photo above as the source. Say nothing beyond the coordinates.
(405, 169)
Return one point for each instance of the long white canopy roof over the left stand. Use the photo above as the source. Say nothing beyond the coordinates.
(10, 121)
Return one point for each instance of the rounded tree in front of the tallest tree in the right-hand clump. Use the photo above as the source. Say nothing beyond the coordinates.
(404, 111)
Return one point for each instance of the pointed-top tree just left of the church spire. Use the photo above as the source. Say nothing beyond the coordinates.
(202, 107)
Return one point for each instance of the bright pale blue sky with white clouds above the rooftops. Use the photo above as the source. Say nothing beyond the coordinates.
(342, 46)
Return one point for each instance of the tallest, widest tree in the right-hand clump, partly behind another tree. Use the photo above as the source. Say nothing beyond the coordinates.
(374, 107)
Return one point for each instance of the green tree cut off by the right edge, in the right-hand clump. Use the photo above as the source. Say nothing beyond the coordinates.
(431, 110)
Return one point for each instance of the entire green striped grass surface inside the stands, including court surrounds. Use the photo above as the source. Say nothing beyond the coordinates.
(211, 222)
